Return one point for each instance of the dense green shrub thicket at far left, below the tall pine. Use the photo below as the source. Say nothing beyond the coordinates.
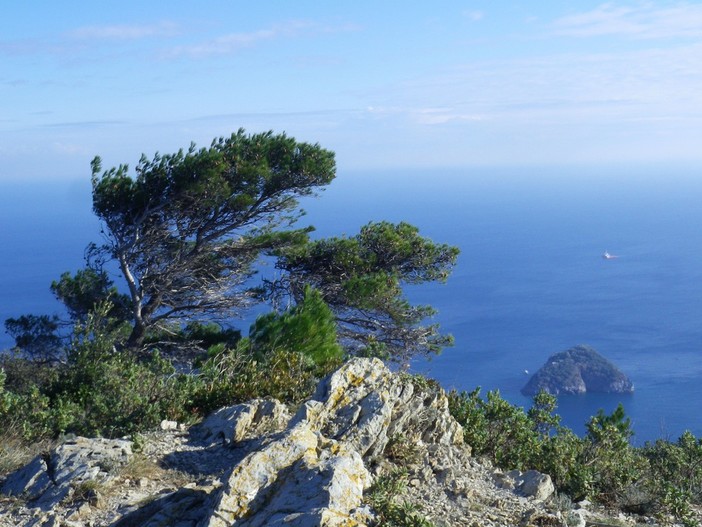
(98, 392)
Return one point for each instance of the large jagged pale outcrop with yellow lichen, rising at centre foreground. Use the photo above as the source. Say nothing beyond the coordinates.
(313, 473)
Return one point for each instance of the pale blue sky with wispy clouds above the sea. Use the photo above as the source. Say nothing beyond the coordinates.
(385, 84)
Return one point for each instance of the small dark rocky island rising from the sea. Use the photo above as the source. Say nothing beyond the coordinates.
(578, 370)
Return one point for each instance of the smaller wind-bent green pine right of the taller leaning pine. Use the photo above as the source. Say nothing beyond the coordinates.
(361, 279)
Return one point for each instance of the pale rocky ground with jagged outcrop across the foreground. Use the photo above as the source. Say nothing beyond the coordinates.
(252, 465)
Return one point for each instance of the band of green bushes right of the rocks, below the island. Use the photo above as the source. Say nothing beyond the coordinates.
(602, 465)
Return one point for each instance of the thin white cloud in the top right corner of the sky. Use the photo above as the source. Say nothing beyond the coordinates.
(642, 21)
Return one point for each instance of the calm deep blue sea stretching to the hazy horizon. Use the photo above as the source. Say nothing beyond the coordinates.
(530, 281)
